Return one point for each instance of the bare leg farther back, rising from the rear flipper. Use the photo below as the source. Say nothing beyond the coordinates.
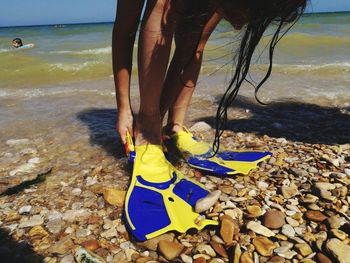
(183, 72)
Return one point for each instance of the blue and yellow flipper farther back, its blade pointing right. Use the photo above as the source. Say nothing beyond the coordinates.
(198, 154)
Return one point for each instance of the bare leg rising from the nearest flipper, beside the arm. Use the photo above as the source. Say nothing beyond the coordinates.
(153, 57)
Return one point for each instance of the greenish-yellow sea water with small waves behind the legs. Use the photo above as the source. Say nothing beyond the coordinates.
(50, 89)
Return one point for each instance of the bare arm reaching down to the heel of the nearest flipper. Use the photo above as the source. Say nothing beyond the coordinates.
(123, 38)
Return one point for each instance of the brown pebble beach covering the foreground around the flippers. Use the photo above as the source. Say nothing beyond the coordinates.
(293, 208)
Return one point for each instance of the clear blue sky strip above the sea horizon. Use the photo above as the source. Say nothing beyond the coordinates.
(43, 12)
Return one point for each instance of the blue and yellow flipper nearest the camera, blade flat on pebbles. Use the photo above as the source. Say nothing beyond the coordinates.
(160, 198)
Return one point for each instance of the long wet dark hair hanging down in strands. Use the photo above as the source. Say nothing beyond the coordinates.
(278, 12)
